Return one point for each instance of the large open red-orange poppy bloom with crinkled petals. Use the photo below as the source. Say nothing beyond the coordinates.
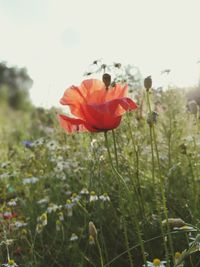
(97, 109)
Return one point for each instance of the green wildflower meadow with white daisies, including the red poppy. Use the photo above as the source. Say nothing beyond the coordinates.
(118, 186)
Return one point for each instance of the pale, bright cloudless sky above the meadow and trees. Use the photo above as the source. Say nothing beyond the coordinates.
(57, 39)
